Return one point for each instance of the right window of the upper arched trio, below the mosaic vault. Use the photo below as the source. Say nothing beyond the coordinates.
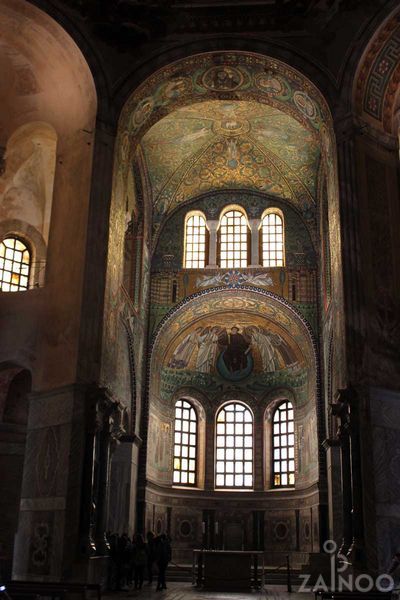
(272, 239)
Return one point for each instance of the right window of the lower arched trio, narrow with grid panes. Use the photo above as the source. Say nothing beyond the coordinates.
(283, 446)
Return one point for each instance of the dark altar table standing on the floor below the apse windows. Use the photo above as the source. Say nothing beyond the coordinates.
(228, 570)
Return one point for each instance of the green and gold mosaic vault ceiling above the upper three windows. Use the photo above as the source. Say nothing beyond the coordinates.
(220, 144)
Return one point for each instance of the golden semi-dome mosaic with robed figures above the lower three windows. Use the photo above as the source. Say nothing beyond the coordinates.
(230, 337)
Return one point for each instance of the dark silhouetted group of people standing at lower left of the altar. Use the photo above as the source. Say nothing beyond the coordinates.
(134, 559)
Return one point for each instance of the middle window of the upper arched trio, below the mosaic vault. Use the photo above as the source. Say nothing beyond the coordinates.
(233, 239)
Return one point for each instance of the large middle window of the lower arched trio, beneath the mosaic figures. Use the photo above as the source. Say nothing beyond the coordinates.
(234, 447)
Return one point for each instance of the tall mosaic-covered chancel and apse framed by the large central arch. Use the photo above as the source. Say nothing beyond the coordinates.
(223, 165)
